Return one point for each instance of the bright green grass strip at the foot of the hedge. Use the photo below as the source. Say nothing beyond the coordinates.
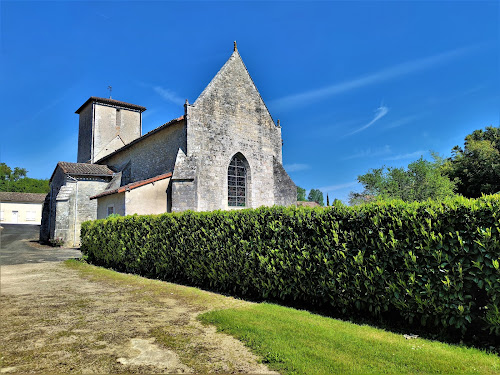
(298, 342)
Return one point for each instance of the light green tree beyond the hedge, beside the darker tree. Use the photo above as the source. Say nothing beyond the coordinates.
(420, 181)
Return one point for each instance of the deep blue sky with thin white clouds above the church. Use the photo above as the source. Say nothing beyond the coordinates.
(356, 85)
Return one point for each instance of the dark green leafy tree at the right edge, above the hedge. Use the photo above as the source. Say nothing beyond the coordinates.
(477, 165)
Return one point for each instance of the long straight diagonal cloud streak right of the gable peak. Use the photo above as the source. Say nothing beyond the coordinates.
(371, 79)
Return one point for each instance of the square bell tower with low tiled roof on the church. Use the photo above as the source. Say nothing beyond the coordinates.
(105, 126)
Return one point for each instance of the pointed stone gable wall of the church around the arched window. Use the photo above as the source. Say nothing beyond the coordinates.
(230, 117)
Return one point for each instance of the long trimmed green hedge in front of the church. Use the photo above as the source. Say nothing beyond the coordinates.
(431, 263)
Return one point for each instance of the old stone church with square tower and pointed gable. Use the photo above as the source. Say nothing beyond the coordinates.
(225, 153)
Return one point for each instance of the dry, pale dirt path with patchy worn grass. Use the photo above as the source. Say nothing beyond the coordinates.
(55, 318)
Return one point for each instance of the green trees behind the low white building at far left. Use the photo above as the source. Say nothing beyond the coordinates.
(16, 180)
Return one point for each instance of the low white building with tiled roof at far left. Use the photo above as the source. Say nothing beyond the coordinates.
(21, 208)
